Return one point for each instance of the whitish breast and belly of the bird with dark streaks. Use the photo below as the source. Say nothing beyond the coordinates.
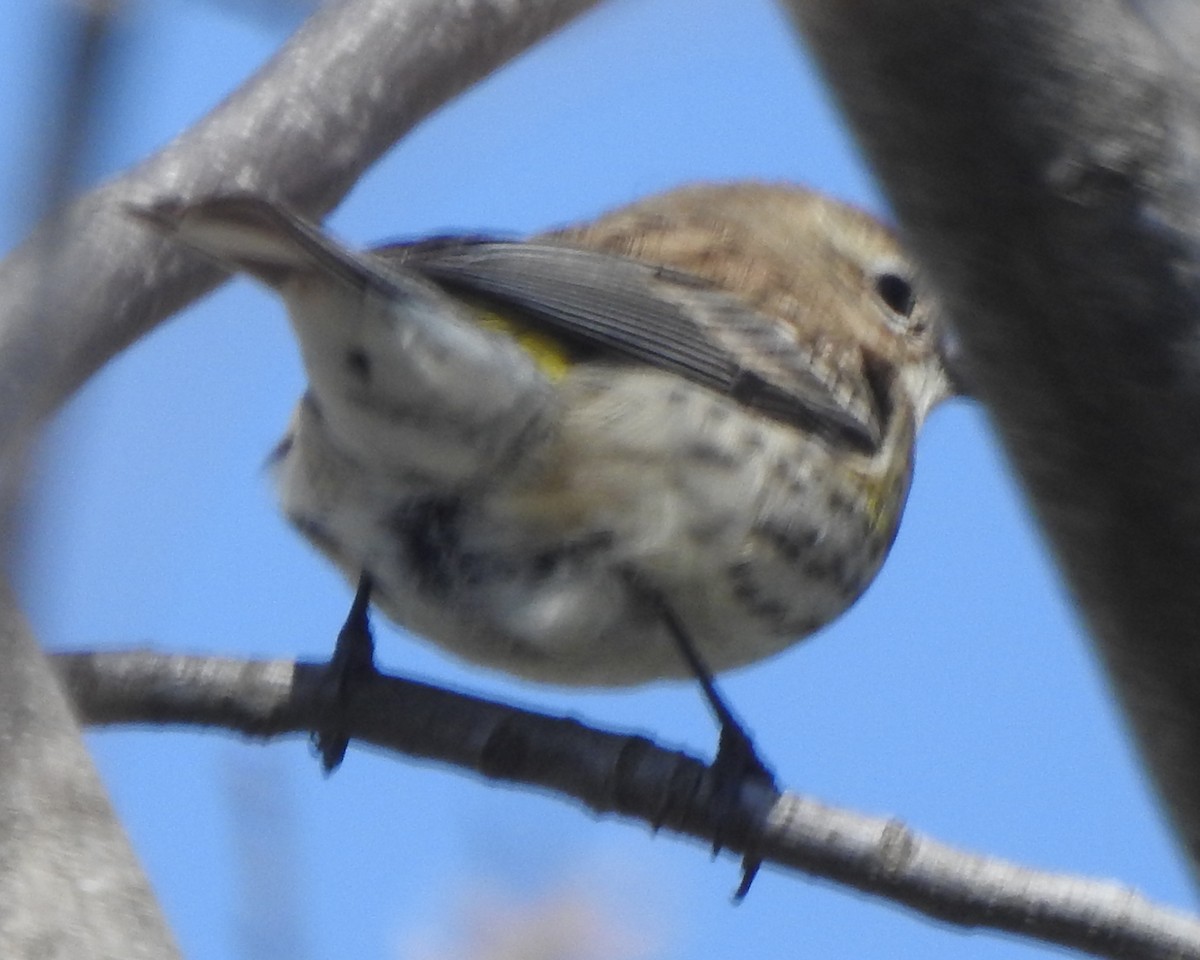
(736, 520)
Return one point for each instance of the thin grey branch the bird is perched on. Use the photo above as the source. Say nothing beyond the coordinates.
(633, 778)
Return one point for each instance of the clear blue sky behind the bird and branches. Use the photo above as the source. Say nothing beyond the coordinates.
(959, 695)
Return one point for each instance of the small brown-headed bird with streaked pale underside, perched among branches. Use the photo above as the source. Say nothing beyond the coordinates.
(674, 441)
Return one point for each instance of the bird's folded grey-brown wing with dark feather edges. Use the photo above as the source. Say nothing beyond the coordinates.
(655, 315)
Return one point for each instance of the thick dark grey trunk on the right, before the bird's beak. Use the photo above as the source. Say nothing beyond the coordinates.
(1045, 165)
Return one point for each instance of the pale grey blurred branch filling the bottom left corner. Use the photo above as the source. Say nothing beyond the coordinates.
(70, 884)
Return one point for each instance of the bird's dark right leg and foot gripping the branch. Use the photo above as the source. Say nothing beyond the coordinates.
(737, 763)
